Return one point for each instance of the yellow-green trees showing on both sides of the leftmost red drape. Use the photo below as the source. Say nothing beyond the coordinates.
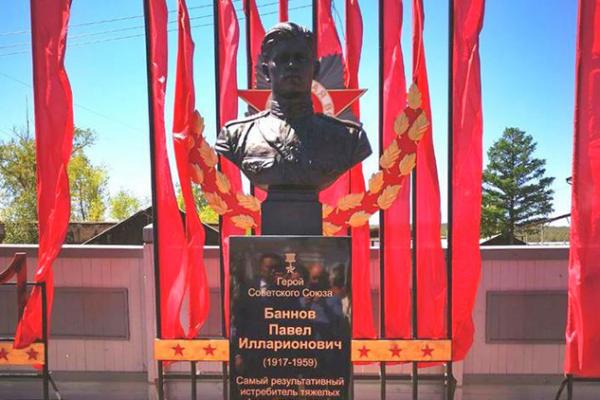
(18, 206)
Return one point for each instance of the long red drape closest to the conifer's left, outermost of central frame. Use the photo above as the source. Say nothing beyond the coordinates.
(467, 168)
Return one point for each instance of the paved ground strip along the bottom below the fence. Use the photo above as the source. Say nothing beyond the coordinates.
(212, 390)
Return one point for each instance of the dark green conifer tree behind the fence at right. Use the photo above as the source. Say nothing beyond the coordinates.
(516, 192)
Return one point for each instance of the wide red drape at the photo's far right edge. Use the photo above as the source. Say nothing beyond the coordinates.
(582, 356)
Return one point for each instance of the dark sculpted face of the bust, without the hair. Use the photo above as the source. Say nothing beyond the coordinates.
(290, 67)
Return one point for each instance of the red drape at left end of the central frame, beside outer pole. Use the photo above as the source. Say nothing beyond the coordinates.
(171, 238)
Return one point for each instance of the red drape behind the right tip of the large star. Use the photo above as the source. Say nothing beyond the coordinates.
(363, 326)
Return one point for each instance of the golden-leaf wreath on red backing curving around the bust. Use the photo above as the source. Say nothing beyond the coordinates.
(353, 210)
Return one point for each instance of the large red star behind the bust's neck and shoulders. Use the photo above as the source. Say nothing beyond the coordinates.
(330, 102)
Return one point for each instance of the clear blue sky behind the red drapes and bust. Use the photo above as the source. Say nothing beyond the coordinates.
(527, 57)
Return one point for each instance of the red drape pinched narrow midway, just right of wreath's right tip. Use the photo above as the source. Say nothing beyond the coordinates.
(430, 256)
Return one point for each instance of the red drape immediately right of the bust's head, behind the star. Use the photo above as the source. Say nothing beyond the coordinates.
(328, 44)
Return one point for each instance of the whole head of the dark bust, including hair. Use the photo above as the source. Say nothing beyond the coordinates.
(288, 60)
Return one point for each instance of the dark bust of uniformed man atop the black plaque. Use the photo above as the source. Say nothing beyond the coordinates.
(289, 149)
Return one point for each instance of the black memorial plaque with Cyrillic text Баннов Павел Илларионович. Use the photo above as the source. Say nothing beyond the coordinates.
(290, 331)
